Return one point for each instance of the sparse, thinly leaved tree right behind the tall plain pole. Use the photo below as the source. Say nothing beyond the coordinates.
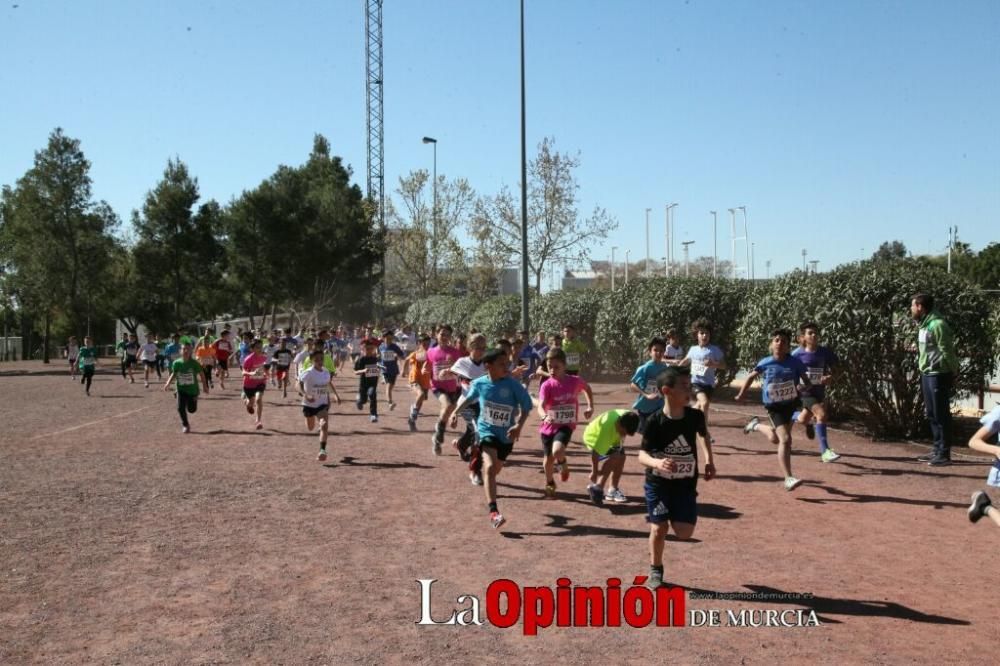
(555, 231)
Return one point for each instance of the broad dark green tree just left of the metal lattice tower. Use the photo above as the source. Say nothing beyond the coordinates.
(303, 238)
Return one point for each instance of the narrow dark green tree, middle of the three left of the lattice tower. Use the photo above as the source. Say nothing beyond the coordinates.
(177, 254)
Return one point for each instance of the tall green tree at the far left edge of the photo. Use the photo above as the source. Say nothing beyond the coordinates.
(56, 238)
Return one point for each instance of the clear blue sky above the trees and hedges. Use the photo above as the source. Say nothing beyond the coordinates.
(838, 124)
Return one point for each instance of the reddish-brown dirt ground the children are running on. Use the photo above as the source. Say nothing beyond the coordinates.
(123, 541)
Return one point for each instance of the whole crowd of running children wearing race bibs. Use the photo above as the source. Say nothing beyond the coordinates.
(488, 388)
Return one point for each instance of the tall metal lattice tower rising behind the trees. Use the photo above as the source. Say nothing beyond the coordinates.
(376, 137)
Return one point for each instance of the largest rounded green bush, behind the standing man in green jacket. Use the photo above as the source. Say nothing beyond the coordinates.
(862, 310)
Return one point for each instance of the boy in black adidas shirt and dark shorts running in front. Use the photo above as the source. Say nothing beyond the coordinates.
(670, 456)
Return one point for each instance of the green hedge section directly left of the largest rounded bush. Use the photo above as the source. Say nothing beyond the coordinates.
(633, 314)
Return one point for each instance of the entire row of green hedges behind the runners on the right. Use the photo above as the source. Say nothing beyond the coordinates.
(862, 310)
